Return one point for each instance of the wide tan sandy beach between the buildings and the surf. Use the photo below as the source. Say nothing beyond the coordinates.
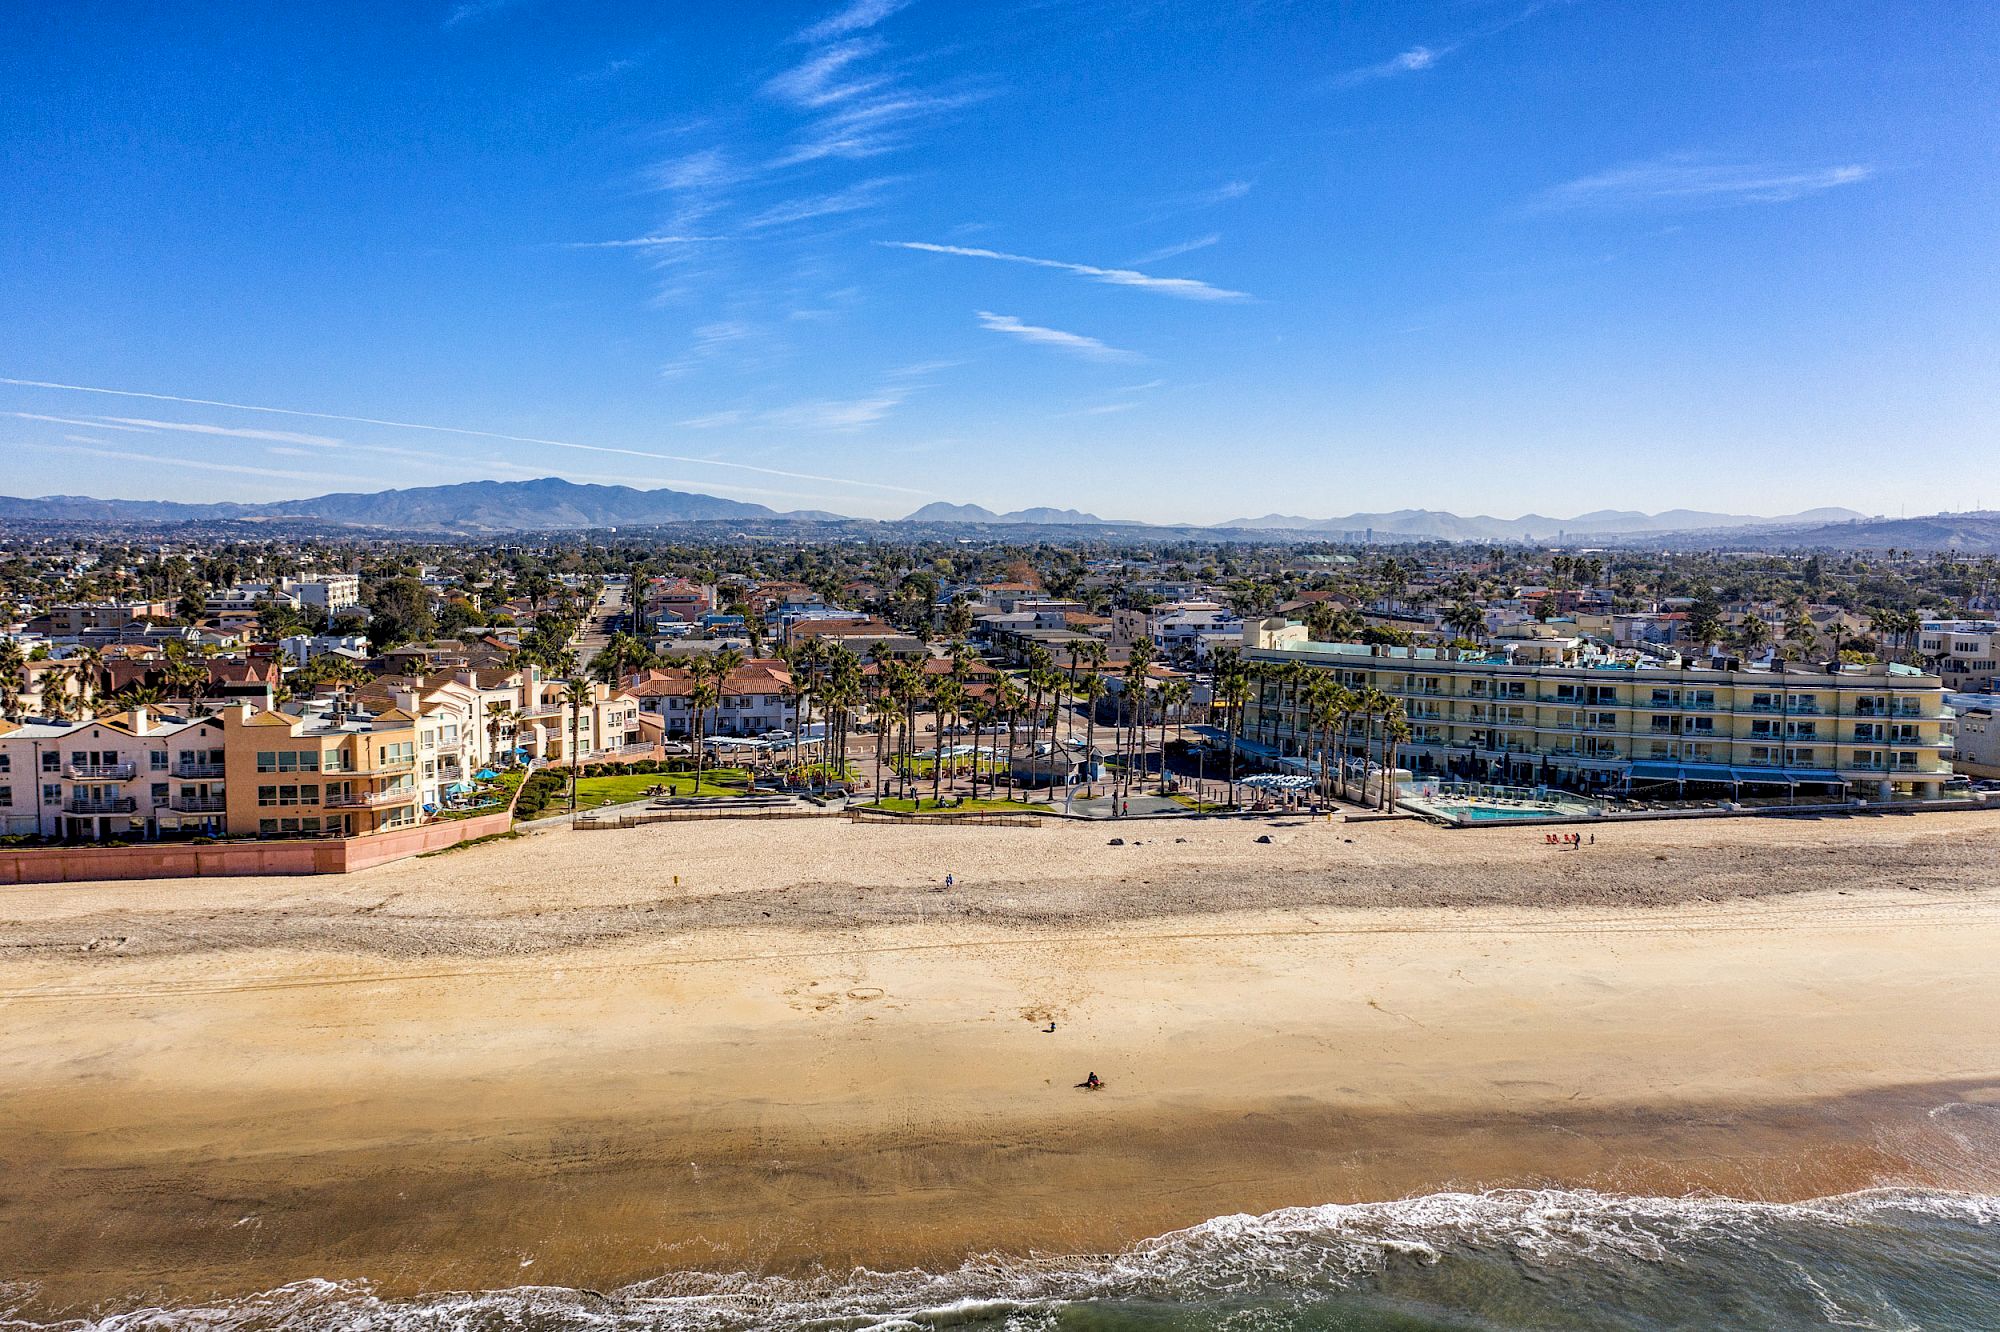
(595, 1057)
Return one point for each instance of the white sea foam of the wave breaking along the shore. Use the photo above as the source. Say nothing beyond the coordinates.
(1301, 1251)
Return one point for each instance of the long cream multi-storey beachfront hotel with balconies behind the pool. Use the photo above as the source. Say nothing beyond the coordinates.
(1559, 713)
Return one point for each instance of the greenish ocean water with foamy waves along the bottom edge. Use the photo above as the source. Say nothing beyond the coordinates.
(1897, 1261)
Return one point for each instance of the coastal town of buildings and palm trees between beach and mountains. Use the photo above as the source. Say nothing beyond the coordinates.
(161, 693)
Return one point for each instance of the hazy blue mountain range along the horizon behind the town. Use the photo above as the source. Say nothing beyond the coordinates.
(553, 505)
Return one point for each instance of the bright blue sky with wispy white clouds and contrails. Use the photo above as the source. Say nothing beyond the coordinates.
(1173, 261)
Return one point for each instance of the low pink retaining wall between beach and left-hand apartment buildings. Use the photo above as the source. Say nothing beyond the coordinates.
(65, 865)
